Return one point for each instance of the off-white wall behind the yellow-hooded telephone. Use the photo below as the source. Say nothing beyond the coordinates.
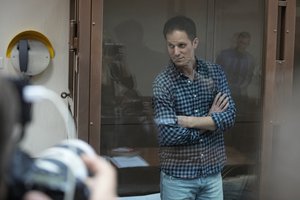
(51, 19)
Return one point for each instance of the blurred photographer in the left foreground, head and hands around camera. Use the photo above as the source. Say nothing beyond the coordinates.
(102, 184)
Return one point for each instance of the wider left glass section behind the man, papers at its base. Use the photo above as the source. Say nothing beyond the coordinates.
(134, 53)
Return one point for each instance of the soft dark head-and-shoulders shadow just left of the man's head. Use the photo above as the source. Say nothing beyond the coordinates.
(143, 62)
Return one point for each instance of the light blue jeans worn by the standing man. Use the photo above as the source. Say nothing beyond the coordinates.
(208, 188)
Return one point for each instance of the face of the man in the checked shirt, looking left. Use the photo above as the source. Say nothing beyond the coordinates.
(181, 49)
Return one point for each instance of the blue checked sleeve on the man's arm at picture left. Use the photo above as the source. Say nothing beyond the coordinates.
(169, 132)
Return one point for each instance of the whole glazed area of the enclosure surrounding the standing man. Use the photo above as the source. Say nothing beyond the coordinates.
(134, 52)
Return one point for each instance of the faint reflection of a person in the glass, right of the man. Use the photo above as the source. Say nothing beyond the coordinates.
(238, 64)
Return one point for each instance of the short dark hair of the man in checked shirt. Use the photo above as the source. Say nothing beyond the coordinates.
(181, 23)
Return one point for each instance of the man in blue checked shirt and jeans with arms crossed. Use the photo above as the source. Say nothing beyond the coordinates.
(193, 108)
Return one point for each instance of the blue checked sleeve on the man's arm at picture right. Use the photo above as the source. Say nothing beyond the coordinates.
(224, 120)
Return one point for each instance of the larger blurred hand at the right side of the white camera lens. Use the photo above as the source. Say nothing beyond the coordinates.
(103, 183)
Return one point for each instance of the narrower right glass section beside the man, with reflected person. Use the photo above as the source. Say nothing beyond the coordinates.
(238, 48)
